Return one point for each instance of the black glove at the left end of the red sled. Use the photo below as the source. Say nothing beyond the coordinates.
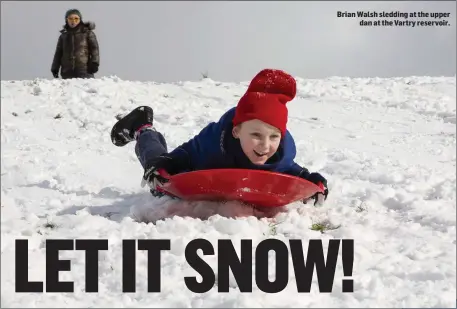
(151, 174)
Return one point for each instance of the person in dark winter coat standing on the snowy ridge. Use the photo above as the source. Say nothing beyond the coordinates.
(77, 52)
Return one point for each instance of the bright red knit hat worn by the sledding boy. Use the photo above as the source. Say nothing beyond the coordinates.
(266, 99)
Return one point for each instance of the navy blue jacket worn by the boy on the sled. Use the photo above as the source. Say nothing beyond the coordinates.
(215, 147)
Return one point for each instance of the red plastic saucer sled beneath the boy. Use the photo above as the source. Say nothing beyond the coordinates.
(257, 187)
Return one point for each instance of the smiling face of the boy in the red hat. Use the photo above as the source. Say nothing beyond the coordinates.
(258, 140)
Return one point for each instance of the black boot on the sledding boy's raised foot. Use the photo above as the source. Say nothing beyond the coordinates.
(124, 130)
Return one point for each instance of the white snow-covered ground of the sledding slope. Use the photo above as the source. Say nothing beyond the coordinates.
(387, 147)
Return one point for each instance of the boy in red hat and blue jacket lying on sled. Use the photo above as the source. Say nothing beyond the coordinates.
(253, 136)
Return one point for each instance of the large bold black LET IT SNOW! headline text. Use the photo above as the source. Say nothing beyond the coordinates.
(227, 260)
